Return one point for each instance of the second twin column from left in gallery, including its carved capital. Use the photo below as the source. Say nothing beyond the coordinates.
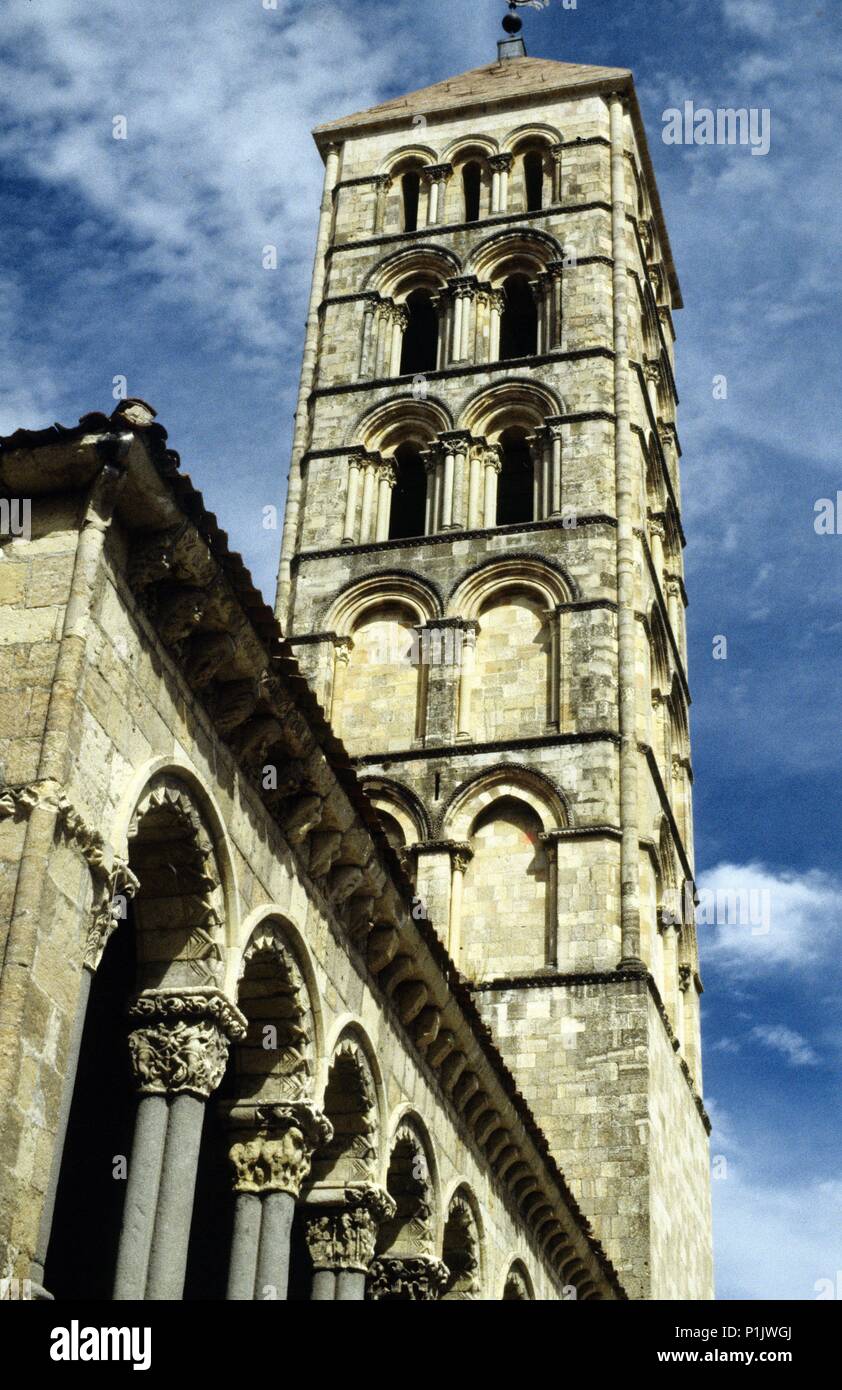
(272, 1159)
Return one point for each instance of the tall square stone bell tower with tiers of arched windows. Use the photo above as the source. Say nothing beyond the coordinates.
(483, 576)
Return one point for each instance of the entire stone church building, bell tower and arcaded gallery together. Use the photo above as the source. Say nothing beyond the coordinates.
(348, 951)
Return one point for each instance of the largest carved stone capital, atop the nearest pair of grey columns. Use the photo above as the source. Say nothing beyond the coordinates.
(180, 1040)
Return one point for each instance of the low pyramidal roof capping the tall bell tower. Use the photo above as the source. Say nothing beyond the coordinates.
(502, 81)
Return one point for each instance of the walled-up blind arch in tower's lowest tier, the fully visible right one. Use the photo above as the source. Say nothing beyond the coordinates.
(504, 915)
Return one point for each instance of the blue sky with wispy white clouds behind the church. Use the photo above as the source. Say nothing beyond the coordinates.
(142, 259)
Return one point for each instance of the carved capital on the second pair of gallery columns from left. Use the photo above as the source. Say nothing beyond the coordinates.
(276, 1159)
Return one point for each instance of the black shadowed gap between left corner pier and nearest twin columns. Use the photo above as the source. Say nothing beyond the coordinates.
(85, 1236)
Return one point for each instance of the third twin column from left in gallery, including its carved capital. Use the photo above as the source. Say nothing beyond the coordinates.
(341, 1231)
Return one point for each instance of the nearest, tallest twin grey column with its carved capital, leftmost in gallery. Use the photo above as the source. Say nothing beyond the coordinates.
(179, 1049)
